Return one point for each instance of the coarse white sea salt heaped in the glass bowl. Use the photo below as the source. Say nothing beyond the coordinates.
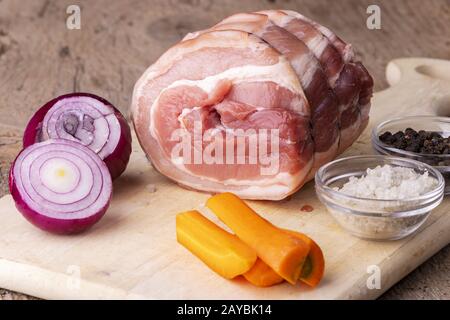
(389, 183)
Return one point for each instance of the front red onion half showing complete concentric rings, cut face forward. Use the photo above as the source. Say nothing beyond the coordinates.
(60, 186)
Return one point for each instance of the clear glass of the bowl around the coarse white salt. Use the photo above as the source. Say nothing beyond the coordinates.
(372, 218)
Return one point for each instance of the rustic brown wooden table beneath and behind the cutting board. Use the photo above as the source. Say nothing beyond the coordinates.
(40, 58)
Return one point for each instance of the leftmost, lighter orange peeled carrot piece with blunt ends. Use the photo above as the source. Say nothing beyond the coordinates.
(220, 250)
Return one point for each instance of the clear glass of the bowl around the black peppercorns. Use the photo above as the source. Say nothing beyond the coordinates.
(427, 123)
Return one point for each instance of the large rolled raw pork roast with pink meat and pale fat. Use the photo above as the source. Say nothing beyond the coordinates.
(272, 80)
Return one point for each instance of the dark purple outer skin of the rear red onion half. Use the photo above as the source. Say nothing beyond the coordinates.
(116, 162)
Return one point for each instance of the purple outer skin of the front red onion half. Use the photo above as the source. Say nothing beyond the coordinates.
(52, 225)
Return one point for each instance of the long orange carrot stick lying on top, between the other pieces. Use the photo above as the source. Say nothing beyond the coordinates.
(284, 253)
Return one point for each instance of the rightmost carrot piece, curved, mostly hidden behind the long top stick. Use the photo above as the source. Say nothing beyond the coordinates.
(314, 265)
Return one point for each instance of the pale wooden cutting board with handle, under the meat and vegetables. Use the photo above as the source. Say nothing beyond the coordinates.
(132, 252)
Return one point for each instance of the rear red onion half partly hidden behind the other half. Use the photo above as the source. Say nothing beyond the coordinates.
(87, 119)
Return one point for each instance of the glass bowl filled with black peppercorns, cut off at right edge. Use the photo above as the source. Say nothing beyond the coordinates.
(422, 138)
